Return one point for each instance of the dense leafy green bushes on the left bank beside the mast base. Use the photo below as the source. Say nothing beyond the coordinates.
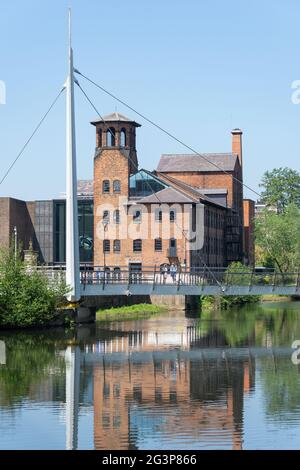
(27, 297)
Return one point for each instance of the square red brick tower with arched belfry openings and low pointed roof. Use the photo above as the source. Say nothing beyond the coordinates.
(115, 160)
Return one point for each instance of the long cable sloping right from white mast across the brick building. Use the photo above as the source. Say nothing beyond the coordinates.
(169, 134)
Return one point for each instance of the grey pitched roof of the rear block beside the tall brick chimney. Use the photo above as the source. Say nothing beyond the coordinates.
(192, 162)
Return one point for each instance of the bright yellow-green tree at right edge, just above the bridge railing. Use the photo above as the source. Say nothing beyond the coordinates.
(278, 236)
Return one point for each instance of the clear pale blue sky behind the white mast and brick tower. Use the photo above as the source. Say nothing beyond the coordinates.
(198, 68)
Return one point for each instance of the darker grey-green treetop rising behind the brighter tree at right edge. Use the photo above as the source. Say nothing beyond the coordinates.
(281, 187)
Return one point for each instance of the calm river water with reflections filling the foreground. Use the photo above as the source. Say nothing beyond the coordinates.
(218, 381)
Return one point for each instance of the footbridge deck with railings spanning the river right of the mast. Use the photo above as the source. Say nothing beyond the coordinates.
(111, 282)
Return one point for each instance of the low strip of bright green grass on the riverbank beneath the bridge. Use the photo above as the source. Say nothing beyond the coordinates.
(129, 312)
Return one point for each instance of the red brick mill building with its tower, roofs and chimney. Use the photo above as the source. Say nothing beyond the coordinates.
(188, 212)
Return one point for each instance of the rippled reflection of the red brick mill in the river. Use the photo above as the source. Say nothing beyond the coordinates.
(147, 392)
